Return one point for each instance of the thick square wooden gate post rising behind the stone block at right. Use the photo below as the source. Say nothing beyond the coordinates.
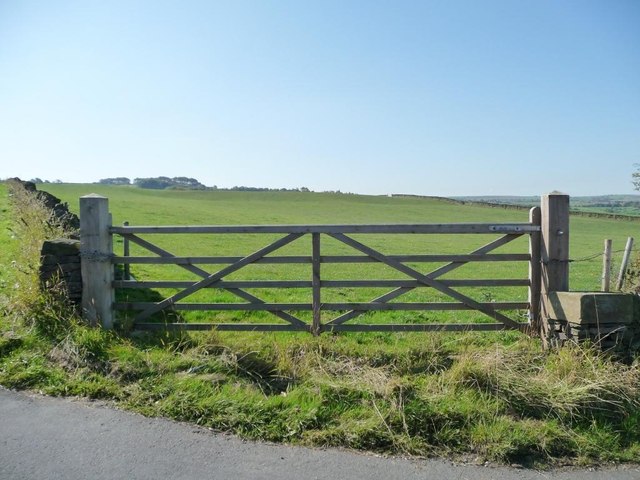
(555, 243)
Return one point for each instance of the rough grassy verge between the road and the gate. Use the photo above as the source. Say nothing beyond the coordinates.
(489, 396)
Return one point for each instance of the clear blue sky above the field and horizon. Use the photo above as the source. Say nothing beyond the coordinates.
(446, 97)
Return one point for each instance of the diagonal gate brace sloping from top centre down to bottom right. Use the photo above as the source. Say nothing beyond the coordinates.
(425, 279)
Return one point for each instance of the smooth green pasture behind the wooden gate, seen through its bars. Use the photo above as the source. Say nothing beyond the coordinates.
(172, 207)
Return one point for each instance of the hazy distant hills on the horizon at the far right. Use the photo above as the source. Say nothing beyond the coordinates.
(604, 204)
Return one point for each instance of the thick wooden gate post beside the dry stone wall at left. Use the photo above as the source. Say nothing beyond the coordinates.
(96, 250)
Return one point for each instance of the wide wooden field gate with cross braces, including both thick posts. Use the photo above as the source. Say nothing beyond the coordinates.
(547, 229)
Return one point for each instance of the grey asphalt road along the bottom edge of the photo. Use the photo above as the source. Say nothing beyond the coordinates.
(54, 438)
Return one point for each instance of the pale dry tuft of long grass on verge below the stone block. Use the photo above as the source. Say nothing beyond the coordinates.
(577, 383)
